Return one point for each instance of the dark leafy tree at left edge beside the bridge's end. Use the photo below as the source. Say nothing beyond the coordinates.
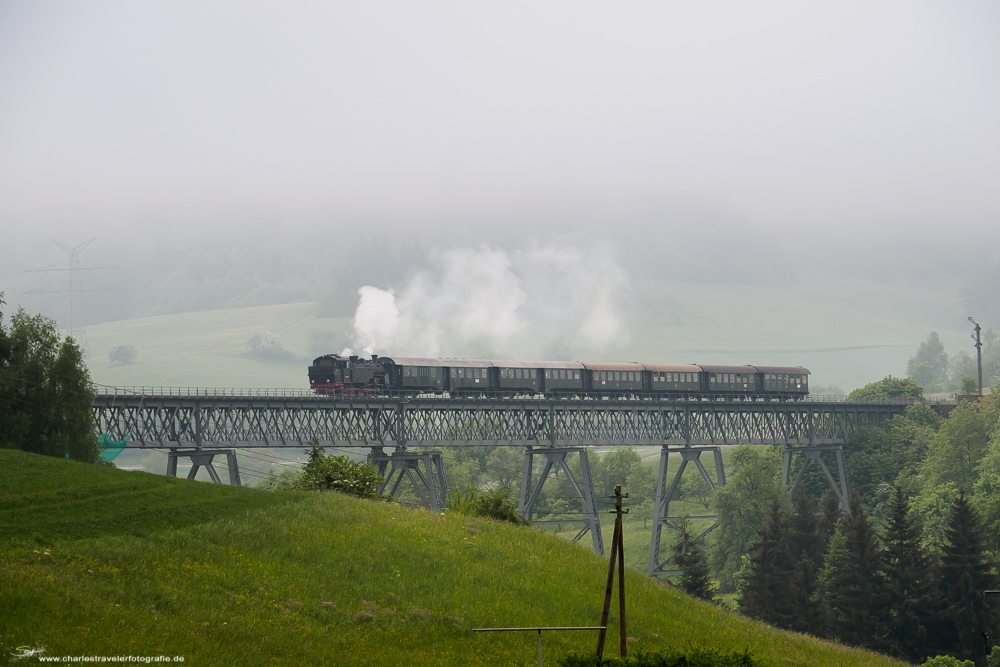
(46, 398)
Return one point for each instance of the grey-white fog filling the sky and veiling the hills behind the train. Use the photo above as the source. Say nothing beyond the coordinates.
(512, 177)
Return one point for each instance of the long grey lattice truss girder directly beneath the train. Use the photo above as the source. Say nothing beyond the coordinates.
(277, 422)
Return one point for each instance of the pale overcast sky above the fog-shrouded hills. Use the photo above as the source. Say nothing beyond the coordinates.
(784, 116)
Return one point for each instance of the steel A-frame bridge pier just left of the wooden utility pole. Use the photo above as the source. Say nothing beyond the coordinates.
(584, 487)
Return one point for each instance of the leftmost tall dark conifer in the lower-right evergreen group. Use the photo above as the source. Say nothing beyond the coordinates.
(765, 591)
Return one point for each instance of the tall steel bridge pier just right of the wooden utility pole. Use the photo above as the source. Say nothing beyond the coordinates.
(688, 454)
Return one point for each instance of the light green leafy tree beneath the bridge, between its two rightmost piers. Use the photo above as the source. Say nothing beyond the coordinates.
(743, 505)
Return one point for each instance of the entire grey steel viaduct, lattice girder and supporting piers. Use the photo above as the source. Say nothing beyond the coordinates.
(202, 424)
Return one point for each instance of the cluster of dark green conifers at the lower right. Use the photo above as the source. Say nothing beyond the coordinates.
(835, 576)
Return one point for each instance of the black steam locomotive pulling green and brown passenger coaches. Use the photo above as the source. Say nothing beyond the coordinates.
(354, 376)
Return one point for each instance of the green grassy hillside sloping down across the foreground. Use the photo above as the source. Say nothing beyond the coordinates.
(95, 561)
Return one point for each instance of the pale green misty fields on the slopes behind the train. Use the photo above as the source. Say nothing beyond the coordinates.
(847, 332)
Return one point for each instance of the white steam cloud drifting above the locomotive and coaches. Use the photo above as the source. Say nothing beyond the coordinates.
(483, 300)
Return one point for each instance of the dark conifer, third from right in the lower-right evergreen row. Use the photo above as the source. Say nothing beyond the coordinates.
(860, 606)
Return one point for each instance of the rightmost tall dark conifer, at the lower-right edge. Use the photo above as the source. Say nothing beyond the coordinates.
(965, 572)
